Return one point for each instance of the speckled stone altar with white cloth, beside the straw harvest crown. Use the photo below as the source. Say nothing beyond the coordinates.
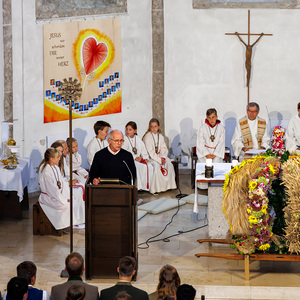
(217, 223)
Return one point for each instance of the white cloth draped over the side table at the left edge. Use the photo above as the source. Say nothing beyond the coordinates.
(16, 179)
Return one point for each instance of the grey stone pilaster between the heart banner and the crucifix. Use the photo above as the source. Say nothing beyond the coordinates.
(158, 110)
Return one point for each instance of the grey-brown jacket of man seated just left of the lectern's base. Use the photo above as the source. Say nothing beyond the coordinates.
(59, 292)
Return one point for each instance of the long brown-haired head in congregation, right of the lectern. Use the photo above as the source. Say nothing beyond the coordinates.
(169, 281)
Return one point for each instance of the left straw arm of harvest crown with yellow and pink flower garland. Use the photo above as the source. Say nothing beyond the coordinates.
(246, 190)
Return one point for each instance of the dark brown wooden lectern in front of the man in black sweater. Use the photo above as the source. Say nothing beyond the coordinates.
(110, 228)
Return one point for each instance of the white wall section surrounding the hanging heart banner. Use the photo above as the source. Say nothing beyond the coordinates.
(29, 129)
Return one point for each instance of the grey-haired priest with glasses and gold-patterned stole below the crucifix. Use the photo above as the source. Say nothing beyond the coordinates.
(250, 133)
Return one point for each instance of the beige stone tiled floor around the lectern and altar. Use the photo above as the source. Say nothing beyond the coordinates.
(215, 278)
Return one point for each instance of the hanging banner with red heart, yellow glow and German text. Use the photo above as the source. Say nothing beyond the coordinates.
(90, 52)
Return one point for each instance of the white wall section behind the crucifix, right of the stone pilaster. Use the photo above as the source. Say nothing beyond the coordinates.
(205, 68)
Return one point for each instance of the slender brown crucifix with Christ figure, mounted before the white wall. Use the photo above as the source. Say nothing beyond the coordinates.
(249, 48)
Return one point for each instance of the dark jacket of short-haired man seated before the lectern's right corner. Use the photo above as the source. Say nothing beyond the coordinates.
(135, 293)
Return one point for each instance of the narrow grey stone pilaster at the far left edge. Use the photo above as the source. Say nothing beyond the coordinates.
(8, 71)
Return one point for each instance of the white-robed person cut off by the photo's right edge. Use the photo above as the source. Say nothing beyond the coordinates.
(293, 133)
